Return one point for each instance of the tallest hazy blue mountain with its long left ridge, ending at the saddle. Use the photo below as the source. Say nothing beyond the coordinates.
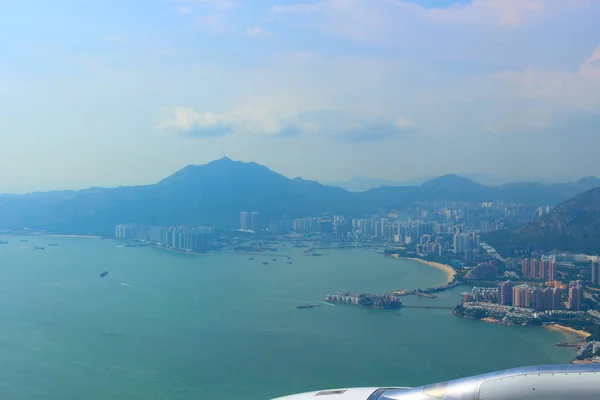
(211, 194)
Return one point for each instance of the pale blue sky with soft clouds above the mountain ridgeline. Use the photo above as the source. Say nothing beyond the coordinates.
(122, 92)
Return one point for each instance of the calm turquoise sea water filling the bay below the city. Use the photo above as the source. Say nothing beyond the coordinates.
(164, 325)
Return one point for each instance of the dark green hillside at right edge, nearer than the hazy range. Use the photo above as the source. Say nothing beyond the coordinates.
(572, 226)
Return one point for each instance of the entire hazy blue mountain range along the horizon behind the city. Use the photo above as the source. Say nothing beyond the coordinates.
(214, 194)
